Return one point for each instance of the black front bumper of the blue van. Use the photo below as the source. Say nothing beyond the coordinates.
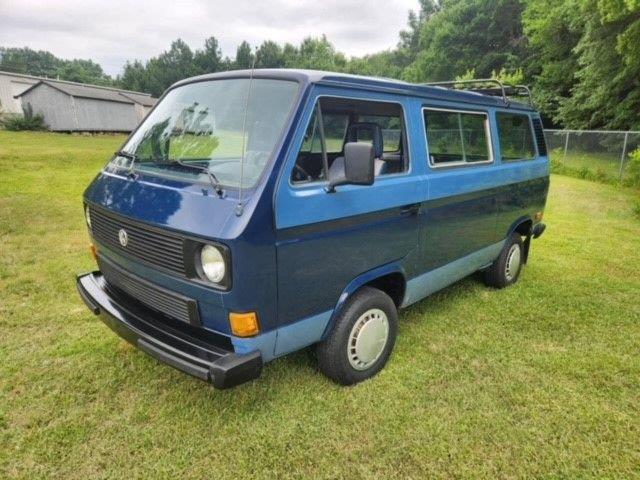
(176, 347)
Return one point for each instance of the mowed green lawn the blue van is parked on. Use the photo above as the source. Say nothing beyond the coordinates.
(538, 380)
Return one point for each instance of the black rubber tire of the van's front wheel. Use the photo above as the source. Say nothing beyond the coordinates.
(335, 359)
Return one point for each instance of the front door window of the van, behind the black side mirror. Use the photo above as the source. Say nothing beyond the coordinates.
(351, 120)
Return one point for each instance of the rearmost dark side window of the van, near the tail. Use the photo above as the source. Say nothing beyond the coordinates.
(516, 139)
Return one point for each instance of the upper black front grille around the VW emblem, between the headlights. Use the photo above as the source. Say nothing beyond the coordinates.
(152, 246)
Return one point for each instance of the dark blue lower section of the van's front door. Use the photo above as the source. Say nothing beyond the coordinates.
(316, 262)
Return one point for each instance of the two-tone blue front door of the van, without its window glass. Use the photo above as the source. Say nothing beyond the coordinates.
(325, 240)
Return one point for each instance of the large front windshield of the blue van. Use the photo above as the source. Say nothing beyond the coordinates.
(202, 124)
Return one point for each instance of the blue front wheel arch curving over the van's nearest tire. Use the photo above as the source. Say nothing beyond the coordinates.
(390, 279)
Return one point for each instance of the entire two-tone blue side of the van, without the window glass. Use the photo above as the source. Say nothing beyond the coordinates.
(325, 241)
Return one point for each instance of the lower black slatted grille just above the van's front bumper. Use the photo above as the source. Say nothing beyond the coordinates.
(154, 297)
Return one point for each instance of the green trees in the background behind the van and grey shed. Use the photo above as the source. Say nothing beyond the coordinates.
(582, 57)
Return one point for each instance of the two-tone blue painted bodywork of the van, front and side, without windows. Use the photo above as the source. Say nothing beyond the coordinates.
(298, 252)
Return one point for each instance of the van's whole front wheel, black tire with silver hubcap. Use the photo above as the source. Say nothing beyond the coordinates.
(362, 338)
